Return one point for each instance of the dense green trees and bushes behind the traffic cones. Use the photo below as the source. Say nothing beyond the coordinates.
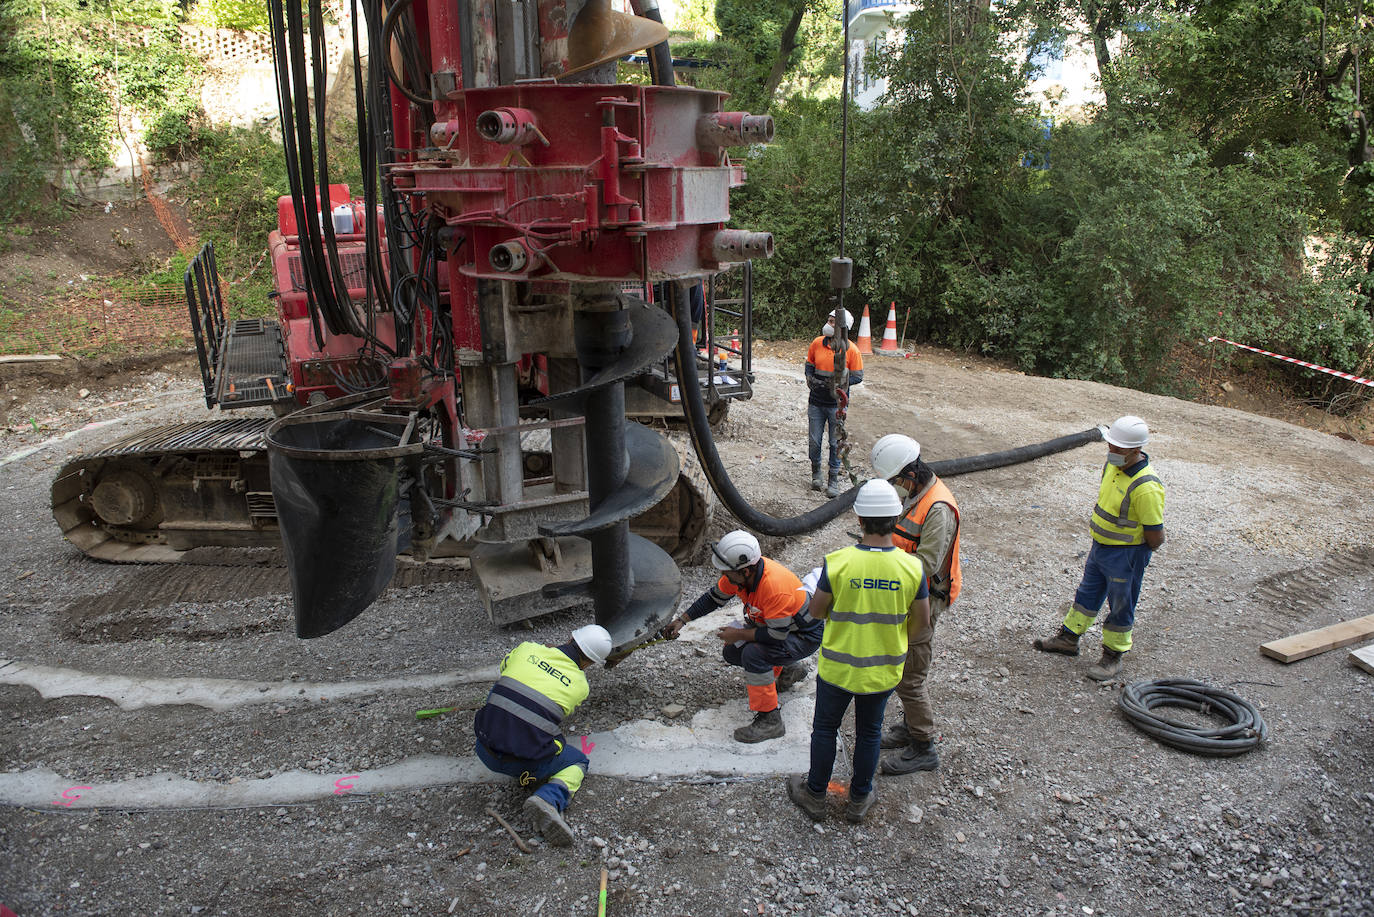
(1233, 138)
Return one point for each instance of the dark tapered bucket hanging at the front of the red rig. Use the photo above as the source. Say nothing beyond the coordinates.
(337, 480)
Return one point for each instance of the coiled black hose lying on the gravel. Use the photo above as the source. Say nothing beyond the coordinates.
(1247, 728)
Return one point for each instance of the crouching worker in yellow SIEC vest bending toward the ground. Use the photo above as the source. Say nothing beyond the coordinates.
(519, 731)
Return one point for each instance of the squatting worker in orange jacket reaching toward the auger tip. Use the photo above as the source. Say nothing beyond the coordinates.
(777, 636)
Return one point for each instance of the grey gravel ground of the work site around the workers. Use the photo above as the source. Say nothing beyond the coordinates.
(1046, 799)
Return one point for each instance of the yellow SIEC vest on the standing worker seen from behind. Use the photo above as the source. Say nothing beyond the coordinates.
(865, 645)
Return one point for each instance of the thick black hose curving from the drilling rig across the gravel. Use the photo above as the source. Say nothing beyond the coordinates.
(699, 428)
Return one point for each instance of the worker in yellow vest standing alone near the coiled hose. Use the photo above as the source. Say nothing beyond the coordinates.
(1127, 527)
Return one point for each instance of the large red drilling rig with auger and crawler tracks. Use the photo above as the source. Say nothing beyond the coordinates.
(513, 193)
